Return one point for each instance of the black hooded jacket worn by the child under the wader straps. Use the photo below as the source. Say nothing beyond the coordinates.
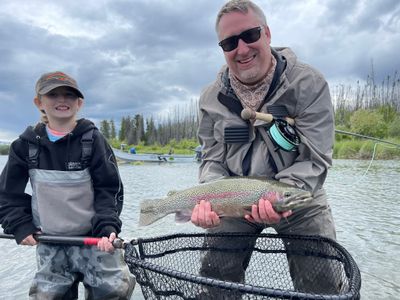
(15, 204)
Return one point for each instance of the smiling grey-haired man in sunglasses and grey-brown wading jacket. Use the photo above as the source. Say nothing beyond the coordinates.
(266, 80)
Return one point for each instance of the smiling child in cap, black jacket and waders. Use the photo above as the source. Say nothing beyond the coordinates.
(76, 191)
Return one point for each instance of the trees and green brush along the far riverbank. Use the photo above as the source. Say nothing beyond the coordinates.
(367, 108)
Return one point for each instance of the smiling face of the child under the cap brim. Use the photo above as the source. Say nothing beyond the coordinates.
(60, 104)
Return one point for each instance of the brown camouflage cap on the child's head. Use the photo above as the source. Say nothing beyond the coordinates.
(50, 81)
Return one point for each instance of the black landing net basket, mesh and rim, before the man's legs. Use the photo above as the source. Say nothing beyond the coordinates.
(243, 266)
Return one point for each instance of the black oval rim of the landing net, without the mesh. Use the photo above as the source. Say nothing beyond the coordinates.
(136, 259)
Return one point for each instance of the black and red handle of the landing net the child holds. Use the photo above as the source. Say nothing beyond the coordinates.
(69, 240)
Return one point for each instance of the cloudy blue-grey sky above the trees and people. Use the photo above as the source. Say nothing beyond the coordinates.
(149, 57)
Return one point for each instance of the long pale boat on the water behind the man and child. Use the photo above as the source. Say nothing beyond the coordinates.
(153, 157)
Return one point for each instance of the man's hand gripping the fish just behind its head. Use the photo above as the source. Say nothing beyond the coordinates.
(264, 211)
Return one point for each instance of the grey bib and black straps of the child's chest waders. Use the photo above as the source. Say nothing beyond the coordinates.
(62, 201)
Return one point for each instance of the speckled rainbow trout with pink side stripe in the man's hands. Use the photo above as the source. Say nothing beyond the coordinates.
(229, 197)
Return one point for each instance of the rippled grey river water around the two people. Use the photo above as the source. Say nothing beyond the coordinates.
(364, 196)
